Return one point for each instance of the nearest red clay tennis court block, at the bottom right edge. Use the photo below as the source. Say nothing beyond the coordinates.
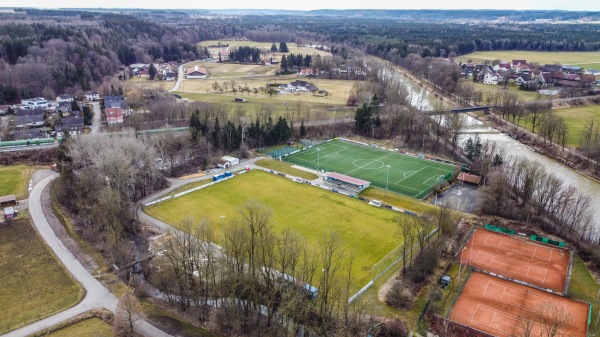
(500, 307)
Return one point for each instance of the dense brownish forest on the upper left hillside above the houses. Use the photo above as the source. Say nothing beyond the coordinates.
(47, 53)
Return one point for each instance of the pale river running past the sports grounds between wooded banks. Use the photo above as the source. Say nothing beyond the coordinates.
(510, 147)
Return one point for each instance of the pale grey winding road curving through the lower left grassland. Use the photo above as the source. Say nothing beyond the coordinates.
(97, 296)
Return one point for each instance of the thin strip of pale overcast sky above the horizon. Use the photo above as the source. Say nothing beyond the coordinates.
(578, 5)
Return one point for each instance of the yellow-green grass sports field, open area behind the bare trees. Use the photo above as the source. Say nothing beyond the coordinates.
(310, 211)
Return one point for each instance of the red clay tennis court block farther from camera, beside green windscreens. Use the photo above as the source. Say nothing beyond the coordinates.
(519, 259)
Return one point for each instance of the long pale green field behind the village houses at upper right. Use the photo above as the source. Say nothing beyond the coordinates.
(582, 59)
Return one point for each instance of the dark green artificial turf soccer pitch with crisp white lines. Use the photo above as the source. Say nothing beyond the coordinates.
(386, 169)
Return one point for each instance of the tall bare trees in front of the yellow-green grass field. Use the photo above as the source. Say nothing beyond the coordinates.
(259, 279)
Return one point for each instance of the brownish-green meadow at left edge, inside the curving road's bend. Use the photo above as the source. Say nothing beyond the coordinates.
(33, 283)
